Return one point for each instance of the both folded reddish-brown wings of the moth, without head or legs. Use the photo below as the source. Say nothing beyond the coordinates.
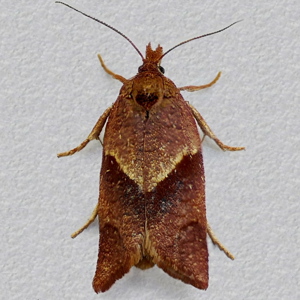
(161, 219)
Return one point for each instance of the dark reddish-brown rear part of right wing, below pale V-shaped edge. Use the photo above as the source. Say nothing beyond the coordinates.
(176, 223)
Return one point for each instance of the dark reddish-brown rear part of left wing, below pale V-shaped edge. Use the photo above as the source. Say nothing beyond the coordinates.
(122, 222)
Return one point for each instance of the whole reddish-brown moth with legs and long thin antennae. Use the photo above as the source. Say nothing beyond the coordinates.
(151, 206)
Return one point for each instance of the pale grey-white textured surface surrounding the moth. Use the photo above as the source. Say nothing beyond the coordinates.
(52, 92)
